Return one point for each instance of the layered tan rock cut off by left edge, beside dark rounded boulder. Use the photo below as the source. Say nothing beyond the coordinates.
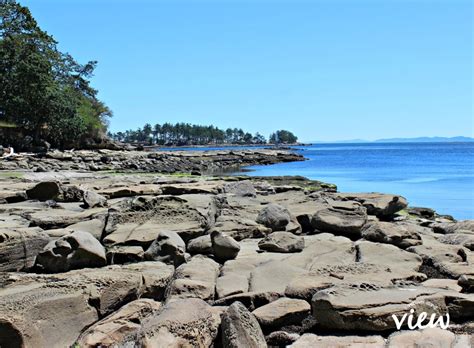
(19, 247)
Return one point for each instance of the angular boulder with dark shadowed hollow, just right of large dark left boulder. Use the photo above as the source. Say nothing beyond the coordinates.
(168, 247)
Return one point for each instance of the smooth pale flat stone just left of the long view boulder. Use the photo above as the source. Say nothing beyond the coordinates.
(284, 311)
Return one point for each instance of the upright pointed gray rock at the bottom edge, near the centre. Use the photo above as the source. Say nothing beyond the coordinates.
(240, 328)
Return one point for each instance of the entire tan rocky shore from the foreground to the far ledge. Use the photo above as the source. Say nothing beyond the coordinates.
(121, 249)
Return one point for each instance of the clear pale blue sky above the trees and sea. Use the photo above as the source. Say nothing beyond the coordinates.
(326, 70)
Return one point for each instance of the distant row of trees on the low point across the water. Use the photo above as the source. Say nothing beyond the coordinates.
(187, 134)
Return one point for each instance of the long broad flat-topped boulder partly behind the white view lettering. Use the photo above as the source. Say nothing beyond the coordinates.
(368, 307)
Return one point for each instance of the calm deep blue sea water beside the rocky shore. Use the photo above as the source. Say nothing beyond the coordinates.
(434, 175)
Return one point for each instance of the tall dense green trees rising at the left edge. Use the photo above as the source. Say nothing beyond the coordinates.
(45, 95)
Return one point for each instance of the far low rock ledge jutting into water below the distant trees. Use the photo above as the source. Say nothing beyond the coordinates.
(147, 161)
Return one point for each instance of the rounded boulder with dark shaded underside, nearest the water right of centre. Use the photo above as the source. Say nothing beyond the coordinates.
(341, 218)
